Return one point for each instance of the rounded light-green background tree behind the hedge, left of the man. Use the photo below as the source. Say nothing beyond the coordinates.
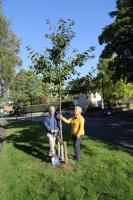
(27, 87)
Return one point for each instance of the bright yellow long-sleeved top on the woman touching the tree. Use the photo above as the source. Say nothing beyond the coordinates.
(77, 125)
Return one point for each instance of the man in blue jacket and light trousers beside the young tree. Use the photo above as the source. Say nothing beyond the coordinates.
(52, 129)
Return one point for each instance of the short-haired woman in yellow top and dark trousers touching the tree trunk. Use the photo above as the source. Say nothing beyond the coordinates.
(77, 129)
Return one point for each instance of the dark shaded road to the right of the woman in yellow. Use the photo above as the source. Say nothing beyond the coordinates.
(115, 130)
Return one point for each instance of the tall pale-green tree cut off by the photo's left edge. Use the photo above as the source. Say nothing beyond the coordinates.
(9, 47)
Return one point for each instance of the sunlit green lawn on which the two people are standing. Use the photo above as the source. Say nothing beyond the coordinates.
(26, 173)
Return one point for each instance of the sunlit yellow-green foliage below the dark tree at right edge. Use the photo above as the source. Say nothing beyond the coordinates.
(111, 91)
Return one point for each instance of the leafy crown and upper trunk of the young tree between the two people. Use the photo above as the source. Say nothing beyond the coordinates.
(54, 64)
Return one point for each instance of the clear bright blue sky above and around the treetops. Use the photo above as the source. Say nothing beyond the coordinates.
(28, 17)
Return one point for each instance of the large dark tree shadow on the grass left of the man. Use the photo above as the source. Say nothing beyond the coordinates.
(30, 138)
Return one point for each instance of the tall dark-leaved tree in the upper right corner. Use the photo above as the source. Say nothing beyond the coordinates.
(118, 40)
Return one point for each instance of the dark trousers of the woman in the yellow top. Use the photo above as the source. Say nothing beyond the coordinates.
(77, 142)
